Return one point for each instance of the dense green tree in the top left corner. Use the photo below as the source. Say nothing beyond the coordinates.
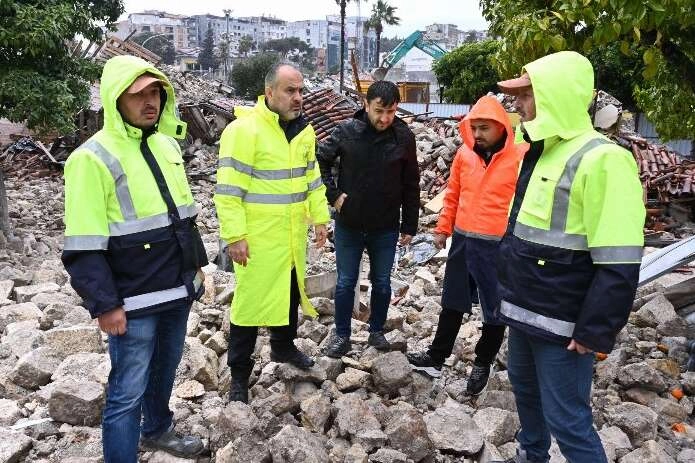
(41, 82)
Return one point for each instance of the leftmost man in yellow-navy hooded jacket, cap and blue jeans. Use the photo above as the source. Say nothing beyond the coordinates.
(133, 253)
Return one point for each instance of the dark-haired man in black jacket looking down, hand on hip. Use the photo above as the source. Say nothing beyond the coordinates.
(377, 175)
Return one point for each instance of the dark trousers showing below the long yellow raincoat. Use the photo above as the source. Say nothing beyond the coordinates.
(242, 339)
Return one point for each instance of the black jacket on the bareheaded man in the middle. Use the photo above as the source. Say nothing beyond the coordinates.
(377, 170)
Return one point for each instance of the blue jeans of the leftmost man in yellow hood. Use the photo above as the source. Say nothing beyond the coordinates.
(143, 367)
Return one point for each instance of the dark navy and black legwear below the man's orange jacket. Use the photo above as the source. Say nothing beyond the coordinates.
(469, 259)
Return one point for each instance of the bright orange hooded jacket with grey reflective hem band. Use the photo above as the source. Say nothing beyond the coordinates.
(477, 198)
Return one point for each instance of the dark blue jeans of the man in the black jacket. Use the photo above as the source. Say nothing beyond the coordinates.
(349, 246)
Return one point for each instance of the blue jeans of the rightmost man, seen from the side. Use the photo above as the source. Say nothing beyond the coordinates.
(552, 387)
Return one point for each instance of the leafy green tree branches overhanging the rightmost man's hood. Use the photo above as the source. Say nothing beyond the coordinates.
(660, 34)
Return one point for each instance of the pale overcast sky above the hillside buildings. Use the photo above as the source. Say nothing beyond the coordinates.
(414, 14)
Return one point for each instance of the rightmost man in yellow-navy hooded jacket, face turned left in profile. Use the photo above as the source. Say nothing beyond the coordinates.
(569, 262)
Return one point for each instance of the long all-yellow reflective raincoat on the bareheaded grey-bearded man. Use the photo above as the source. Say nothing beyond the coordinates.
(268, 192)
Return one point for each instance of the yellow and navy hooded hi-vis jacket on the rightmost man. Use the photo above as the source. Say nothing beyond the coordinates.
(570, 260)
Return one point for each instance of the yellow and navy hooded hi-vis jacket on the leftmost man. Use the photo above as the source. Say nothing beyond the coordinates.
(122, 246)
